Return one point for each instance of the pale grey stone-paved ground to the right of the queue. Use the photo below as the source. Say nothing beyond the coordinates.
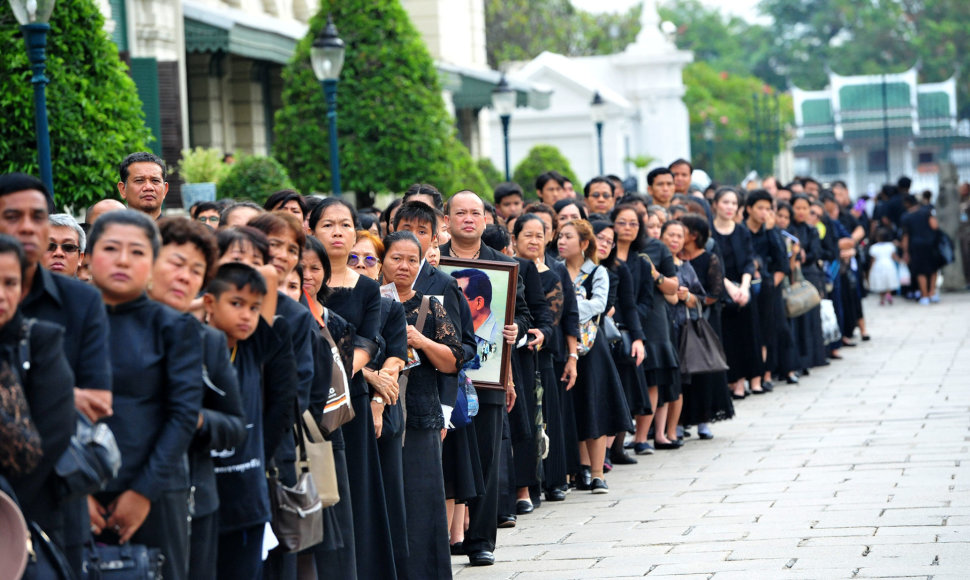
(861, 471)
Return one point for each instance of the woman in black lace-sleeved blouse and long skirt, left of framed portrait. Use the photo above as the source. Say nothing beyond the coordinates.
(438, 353)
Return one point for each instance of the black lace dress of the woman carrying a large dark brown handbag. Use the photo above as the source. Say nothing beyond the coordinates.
(707, 398)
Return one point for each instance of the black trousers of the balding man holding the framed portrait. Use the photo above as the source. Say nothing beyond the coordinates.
(483, 518)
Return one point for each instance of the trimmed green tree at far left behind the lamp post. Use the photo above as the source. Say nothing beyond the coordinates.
(93, 107)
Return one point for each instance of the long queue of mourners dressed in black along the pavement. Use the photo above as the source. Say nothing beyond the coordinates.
(201, 341)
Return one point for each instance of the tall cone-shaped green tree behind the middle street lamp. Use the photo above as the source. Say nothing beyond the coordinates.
(392, 124)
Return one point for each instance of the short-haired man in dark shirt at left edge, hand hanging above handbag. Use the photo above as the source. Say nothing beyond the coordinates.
(76, 306)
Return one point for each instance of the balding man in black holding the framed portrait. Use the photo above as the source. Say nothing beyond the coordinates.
(466, 215)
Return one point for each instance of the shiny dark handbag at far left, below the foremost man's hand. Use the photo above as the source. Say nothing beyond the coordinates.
(91, 459)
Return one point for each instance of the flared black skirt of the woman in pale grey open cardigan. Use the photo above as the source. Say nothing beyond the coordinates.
(599, 404)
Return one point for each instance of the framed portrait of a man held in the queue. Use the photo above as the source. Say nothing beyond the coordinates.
(489, 288)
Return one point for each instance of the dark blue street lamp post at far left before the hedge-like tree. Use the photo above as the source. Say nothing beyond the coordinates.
(33, 16)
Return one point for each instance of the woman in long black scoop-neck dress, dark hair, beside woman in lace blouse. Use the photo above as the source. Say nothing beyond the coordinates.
(357, 300)
